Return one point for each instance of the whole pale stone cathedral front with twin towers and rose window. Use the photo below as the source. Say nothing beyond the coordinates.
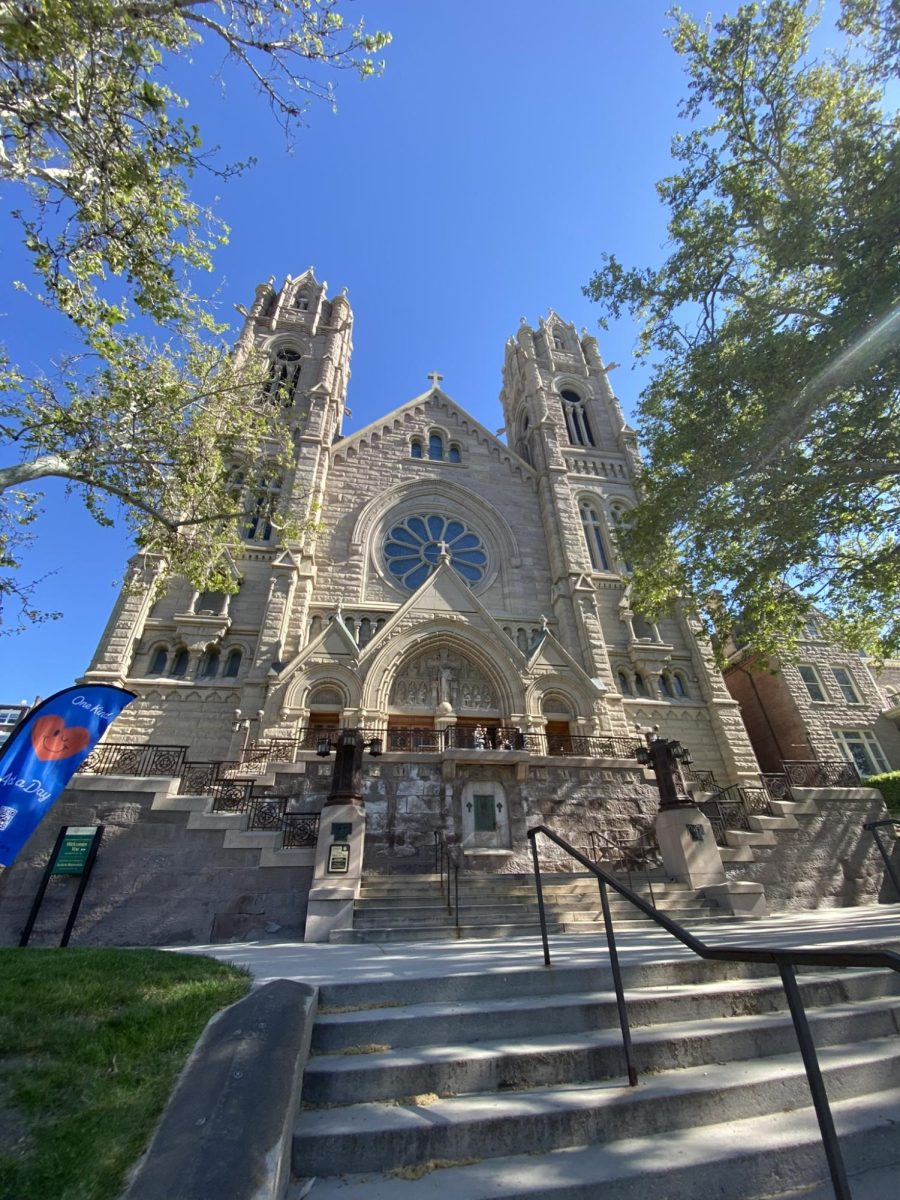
(460, 596)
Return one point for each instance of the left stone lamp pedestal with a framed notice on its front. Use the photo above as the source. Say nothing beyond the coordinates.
(334, 891)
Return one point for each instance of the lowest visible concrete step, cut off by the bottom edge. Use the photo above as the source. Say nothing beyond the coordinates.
(742, 1160)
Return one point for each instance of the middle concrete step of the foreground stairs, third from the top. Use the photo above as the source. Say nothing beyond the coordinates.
(577, 1058)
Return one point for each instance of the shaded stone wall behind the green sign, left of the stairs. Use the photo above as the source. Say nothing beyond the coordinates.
(155, 883)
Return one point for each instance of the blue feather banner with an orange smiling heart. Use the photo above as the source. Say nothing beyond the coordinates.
(43, 754)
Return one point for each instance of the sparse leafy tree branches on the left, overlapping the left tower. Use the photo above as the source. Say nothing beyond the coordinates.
(97, 152)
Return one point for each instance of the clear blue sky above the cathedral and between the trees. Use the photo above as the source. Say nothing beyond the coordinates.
(507, 146)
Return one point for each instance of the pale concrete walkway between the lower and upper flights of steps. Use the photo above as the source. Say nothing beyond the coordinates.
(319, 964)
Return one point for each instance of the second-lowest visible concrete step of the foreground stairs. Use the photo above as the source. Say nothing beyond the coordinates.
(382, 1137)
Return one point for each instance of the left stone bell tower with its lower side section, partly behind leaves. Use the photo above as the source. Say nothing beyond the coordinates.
(219, 653)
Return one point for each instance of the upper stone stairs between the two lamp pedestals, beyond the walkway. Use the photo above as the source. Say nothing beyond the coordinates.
(411, 908)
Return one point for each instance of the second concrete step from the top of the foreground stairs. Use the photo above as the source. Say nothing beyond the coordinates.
(527, 1016)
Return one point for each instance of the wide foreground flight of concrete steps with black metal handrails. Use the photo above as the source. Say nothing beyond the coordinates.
(511, 1085)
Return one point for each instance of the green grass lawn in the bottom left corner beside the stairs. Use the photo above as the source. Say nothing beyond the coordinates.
(91, 1046)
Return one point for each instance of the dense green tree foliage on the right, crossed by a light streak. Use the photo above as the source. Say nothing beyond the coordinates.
(770, 421)
